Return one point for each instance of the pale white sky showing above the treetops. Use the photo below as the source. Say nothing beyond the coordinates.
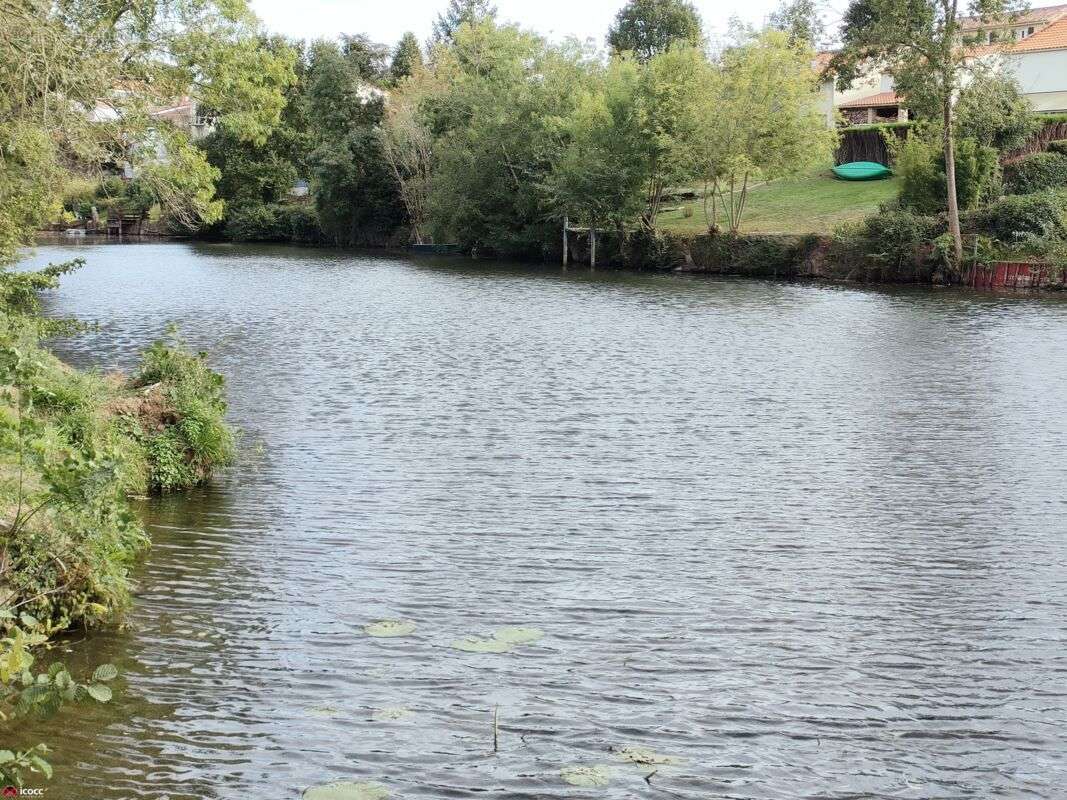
(387, 21)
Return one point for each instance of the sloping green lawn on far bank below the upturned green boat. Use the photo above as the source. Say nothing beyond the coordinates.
(813, 204)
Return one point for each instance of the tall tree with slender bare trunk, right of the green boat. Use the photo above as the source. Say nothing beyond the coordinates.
(922, 44)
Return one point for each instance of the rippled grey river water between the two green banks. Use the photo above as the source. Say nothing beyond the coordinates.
(811, 540)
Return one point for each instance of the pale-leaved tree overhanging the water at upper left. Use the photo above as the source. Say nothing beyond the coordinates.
(81, 78)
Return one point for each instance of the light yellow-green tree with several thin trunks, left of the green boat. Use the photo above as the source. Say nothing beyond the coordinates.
(761, 121)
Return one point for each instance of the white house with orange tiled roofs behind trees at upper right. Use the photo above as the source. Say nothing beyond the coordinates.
(1031, 46)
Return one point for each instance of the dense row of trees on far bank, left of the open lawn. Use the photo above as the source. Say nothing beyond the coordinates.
(496, 136)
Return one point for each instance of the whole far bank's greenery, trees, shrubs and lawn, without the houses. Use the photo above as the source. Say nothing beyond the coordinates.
(492, 138)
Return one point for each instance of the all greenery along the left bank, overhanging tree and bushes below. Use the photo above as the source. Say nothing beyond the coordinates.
(78, 84)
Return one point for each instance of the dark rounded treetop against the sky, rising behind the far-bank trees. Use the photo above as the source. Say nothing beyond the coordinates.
(647, 28)
